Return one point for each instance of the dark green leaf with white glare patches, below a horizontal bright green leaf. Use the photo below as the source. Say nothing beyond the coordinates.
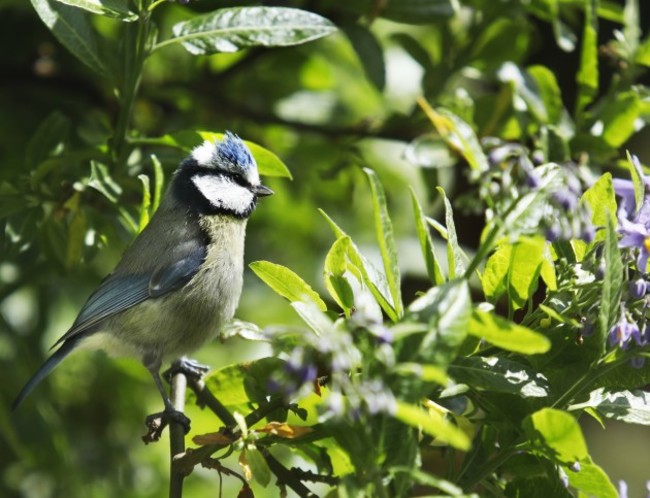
(499, 375)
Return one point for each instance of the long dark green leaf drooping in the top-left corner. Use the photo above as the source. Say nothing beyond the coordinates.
(72, 28)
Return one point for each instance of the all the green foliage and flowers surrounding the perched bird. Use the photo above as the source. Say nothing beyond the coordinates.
(437, 355)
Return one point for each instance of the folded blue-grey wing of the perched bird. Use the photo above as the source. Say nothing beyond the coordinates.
(119, 292)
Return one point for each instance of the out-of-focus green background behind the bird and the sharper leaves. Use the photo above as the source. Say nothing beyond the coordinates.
(327, 109)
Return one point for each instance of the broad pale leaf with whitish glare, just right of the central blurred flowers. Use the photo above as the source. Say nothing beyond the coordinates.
(447, 310)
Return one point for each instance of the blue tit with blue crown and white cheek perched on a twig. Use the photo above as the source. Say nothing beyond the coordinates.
(181, 278)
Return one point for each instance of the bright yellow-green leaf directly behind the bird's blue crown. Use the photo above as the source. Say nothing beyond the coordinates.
(268, 164)
